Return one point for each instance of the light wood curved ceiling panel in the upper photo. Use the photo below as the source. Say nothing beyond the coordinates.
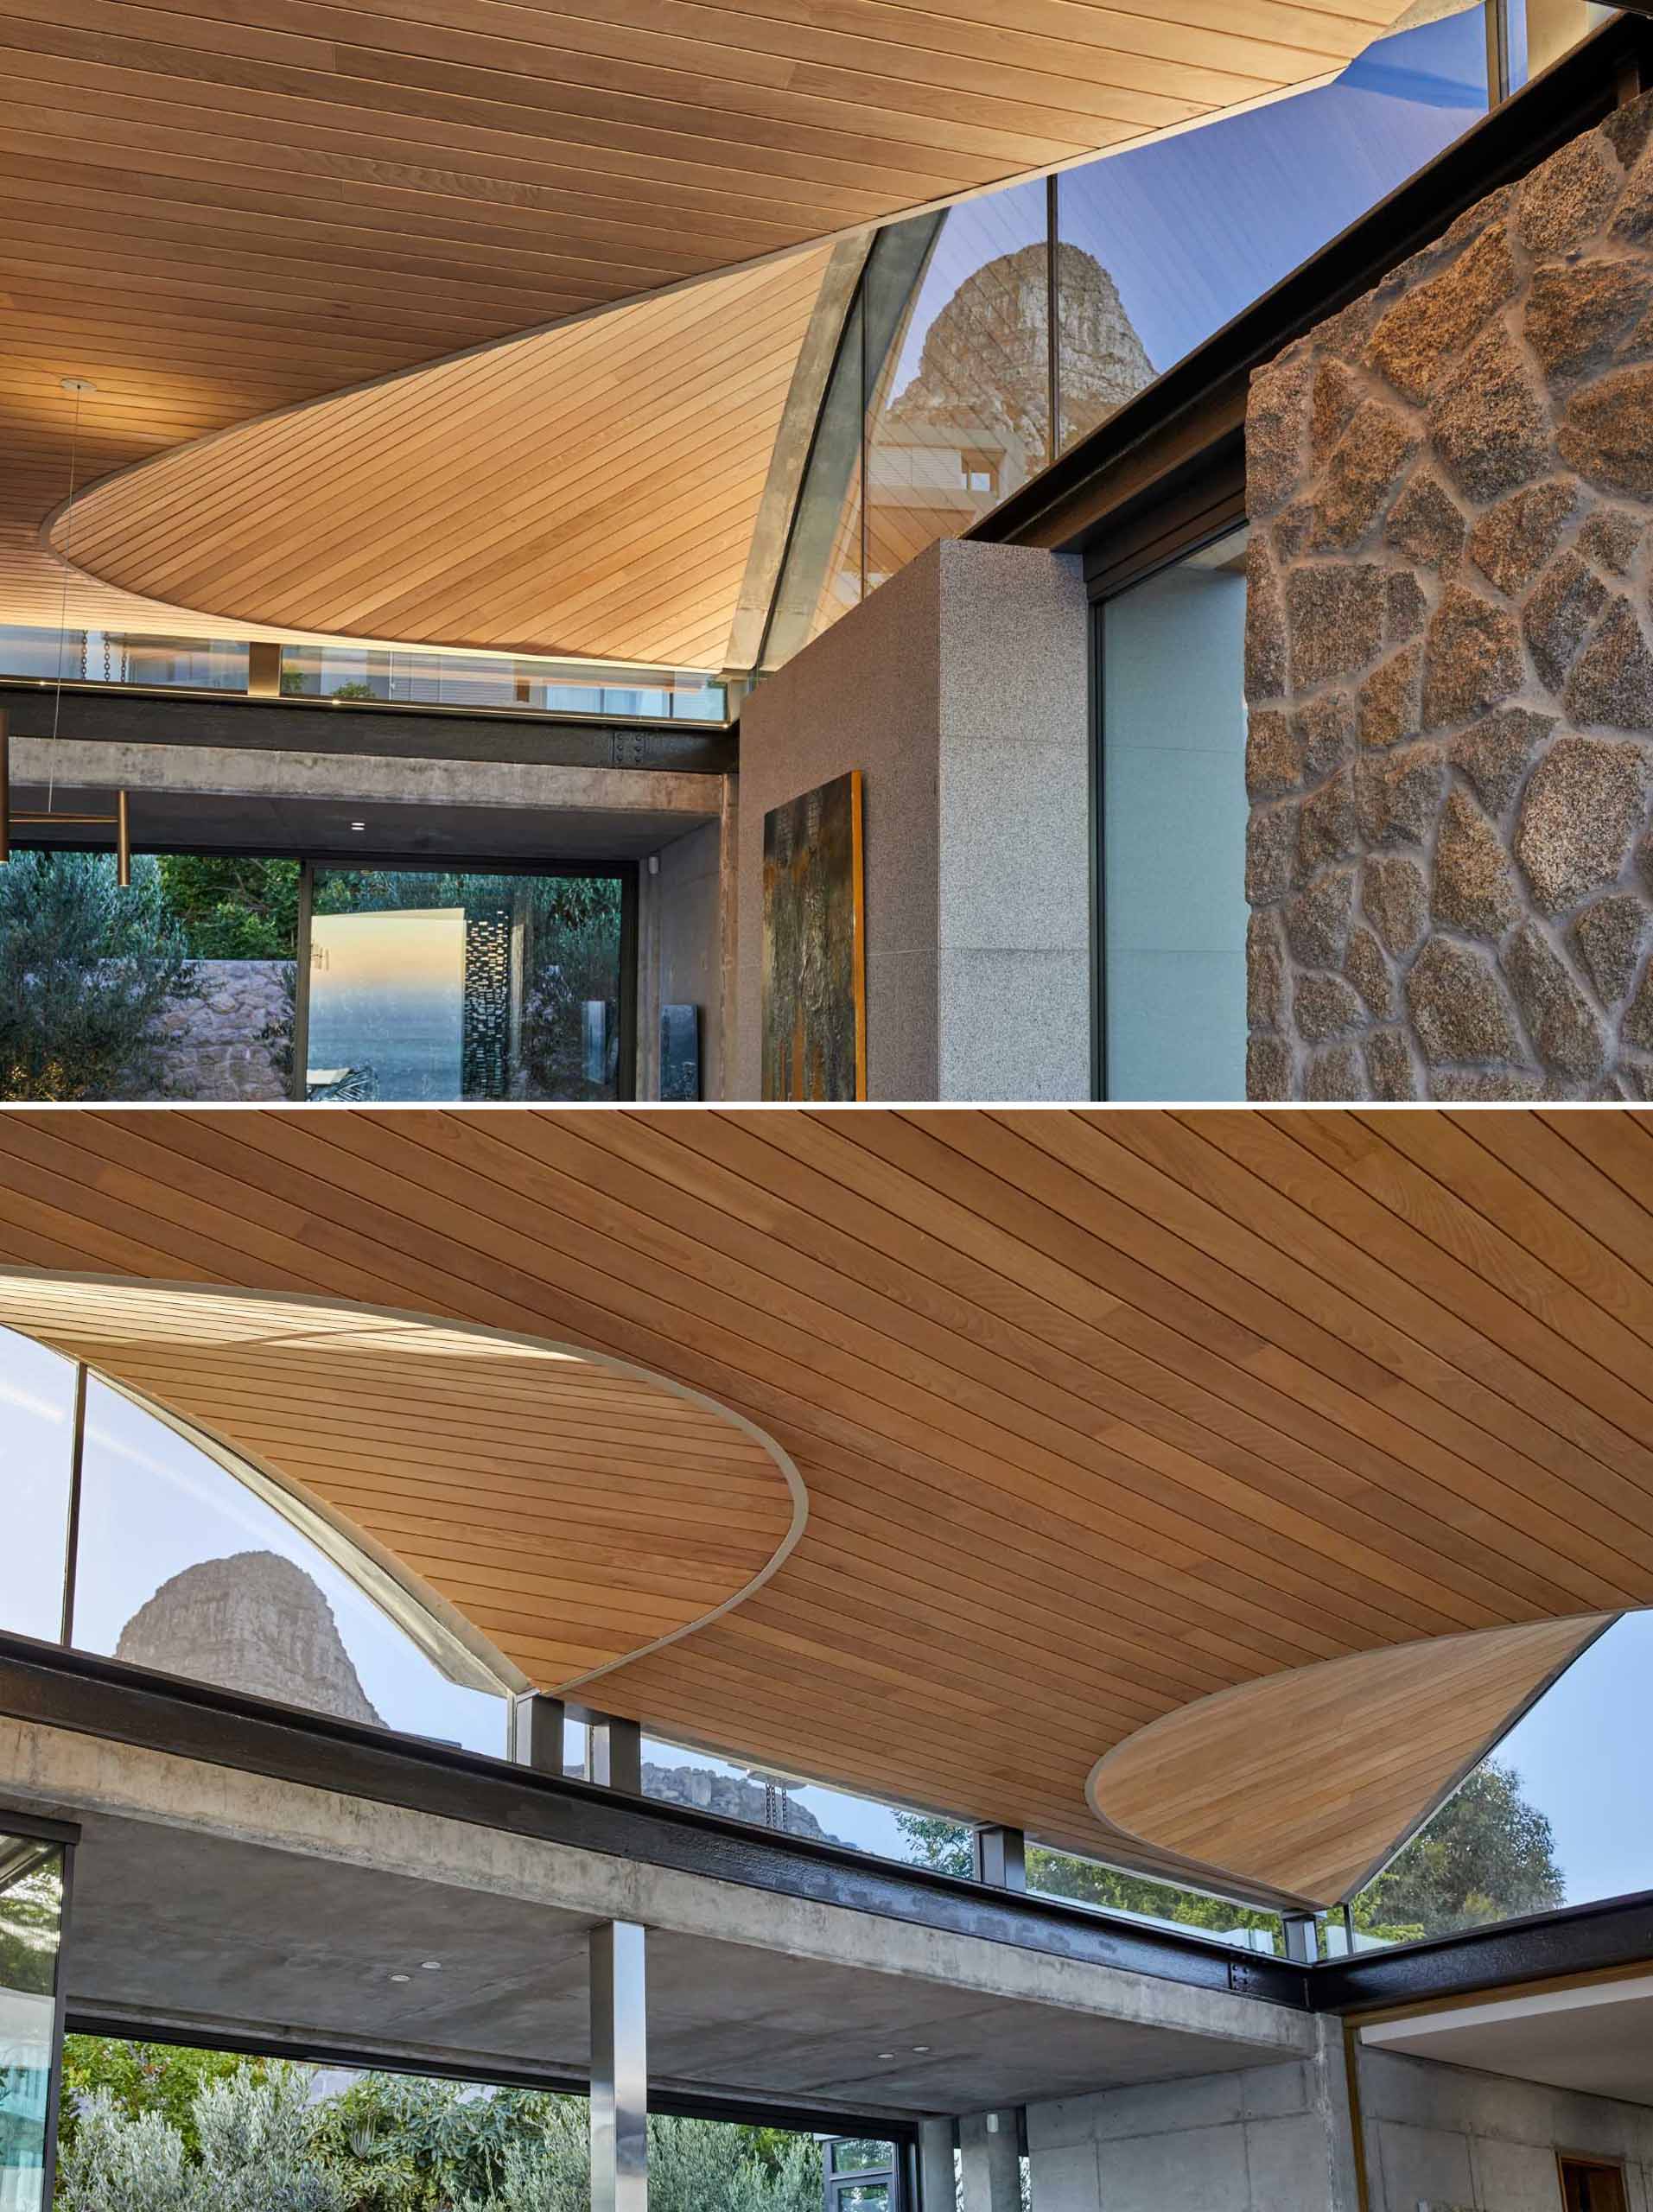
(585, 490)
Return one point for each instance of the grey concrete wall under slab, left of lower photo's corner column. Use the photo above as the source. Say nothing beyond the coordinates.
(1265, 2140)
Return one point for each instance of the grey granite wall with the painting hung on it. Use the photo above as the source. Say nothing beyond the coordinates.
(959, 691)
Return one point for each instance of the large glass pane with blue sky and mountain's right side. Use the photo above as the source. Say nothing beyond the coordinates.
(1163, 244)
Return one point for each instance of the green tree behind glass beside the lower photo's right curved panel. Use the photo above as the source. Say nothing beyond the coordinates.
(1488, 1855)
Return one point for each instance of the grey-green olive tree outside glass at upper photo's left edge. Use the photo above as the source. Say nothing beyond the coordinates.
(85, 972)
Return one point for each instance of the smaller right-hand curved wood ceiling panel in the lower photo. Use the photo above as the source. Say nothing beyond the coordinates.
(1251, 1775)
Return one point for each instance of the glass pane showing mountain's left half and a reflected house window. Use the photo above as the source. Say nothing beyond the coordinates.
(959, 404)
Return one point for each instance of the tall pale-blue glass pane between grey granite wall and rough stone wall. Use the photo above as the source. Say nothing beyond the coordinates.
(1174, 833)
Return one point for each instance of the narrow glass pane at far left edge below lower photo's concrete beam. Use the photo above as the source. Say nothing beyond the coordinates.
(32, 1899)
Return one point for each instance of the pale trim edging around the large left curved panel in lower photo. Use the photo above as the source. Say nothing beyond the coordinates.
(233, 1454)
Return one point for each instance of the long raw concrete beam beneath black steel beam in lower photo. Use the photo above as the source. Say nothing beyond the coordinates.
(1079, 2005)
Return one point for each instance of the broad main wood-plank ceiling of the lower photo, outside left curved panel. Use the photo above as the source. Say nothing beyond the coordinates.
(1099, 1412)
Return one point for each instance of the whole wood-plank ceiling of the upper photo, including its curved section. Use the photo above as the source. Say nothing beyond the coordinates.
(227, 209)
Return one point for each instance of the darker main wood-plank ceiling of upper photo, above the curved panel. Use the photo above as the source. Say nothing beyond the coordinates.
(220, 209)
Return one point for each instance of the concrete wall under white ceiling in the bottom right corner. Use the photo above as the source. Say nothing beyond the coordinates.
(1448, 2138)
